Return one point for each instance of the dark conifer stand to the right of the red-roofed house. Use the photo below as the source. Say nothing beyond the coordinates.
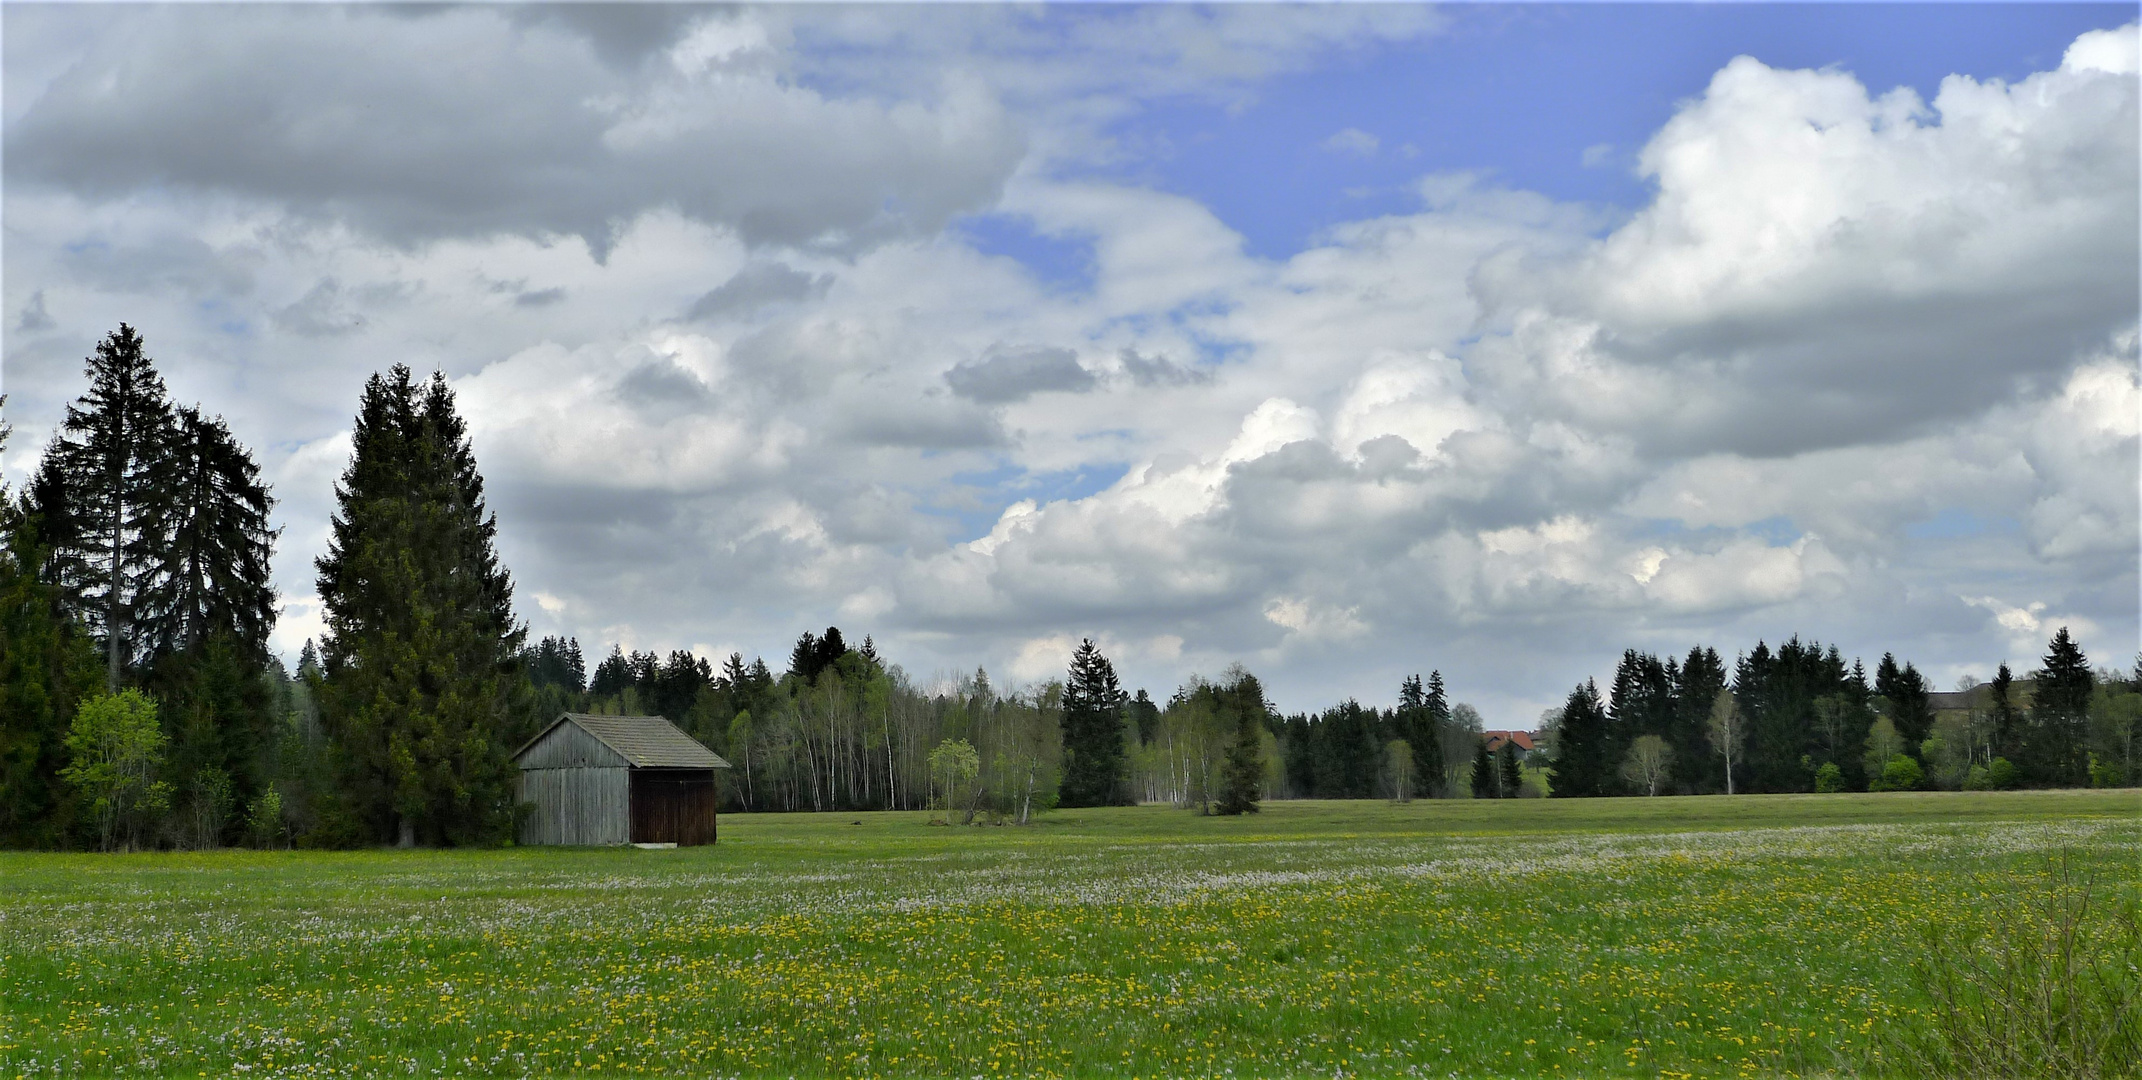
(1800, 719)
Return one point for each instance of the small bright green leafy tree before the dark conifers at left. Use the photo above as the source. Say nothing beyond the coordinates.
(117, 751)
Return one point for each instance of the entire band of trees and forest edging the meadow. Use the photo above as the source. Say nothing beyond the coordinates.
(140, 704)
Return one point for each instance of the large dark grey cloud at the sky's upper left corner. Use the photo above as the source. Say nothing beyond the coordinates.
(462, 123)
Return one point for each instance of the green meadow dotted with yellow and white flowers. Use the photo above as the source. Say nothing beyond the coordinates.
(1601, 937)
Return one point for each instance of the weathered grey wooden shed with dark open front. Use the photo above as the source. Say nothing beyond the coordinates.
(618, 781)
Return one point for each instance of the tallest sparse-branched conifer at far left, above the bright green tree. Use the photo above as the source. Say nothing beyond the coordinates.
(97, 496)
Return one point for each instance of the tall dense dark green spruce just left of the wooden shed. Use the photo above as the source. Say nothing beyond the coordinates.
(423, 687)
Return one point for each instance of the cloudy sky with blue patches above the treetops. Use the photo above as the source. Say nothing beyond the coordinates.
(1340, 342)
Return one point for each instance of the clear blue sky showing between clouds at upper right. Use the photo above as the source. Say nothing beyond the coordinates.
(1520, 95)
